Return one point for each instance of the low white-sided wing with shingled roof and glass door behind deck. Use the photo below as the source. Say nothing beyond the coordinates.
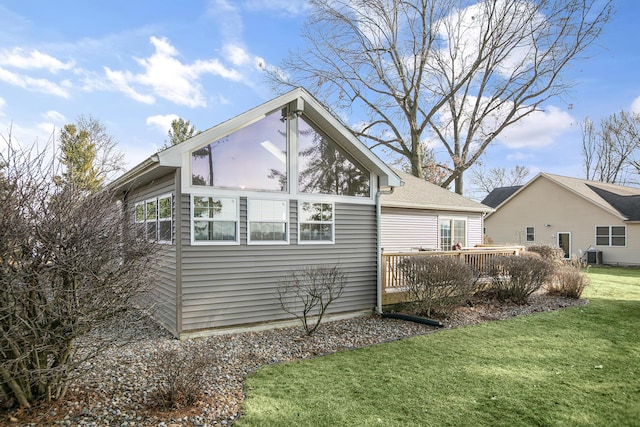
(423, 216)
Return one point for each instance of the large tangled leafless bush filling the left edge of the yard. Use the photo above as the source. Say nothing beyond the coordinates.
(66, 269)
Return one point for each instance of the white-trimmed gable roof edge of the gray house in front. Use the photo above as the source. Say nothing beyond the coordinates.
(300, 102)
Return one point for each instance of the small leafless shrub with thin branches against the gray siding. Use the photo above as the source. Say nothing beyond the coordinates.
(307, 292)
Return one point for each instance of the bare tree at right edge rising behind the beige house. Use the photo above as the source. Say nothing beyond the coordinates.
(611, 152)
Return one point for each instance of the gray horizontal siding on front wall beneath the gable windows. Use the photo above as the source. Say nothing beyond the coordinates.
(235, 285)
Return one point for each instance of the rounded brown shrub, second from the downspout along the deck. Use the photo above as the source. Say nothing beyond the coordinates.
(515, 278)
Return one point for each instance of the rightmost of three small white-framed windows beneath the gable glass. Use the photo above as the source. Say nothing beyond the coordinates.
(316, 222)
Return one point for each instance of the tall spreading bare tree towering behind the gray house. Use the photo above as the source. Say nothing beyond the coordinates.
(454, 71)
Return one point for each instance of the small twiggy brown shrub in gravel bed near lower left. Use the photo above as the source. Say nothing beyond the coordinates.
(181, 376)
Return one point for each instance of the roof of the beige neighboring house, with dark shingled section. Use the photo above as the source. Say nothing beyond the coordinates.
(624, 202)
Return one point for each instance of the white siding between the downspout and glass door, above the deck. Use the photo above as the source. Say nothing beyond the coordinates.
(408, 229)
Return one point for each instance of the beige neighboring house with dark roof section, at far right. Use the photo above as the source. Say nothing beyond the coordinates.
(590, 219)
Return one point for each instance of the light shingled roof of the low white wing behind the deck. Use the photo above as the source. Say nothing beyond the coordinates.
(420, 194)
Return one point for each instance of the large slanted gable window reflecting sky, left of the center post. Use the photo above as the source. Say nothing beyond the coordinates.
(251, 158)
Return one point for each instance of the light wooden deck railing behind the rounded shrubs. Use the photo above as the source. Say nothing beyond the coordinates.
(394, 282)
